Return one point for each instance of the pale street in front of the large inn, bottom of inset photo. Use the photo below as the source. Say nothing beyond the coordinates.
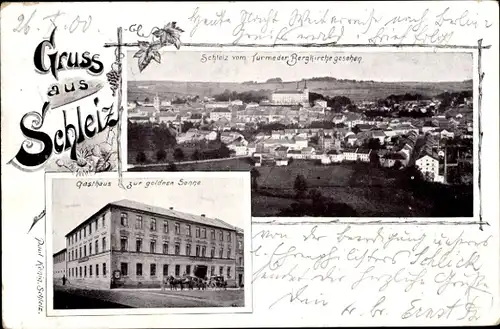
(73, 297)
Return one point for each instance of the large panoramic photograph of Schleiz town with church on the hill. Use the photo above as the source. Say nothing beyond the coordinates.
(383, 135)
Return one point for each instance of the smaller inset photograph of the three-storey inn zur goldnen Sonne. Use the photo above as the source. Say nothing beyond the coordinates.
(129, 253)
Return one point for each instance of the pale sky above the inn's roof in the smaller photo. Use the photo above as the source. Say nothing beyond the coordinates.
(215, 197)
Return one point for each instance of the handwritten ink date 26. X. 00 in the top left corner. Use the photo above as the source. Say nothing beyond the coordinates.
(32, 21)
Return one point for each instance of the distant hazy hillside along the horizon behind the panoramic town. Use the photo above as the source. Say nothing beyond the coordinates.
(355, 90)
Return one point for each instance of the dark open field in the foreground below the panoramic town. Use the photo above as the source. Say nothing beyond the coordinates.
(369, 191)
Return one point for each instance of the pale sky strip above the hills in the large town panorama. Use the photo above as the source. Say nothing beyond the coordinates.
(389, 66)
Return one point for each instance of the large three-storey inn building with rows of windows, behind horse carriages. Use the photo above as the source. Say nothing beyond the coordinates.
(131, 244)
